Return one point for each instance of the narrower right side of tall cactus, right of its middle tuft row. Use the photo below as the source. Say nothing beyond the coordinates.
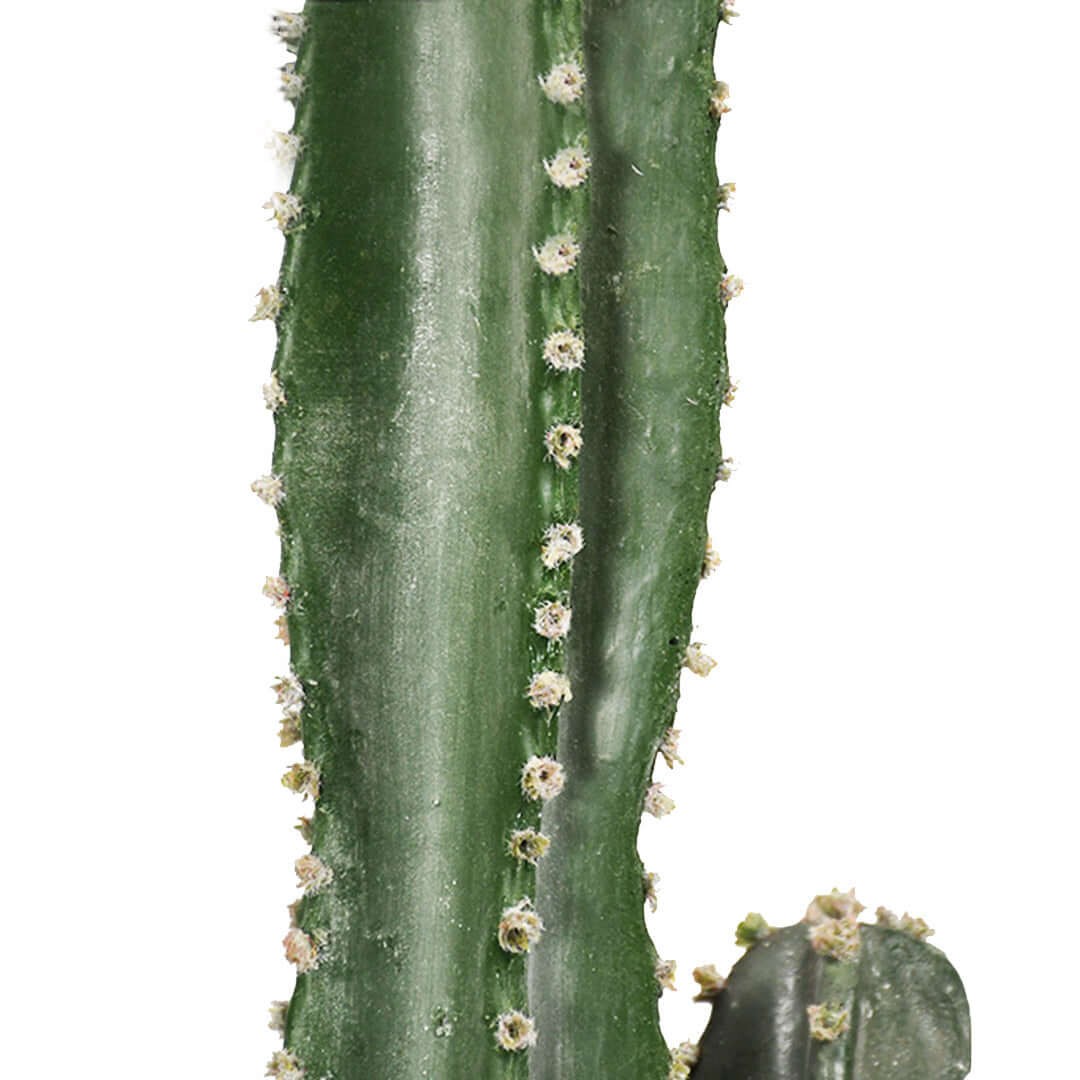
(656, 377)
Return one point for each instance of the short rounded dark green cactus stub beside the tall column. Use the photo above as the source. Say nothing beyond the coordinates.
(896, 1011)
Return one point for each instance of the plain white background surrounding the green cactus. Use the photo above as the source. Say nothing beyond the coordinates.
(896, 618)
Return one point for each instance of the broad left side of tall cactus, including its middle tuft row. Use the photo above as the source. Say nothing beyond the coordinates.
(427, 523)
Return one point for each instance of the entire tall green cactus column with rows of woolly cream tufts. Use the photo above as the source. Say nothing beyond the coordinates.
(501, 287)
